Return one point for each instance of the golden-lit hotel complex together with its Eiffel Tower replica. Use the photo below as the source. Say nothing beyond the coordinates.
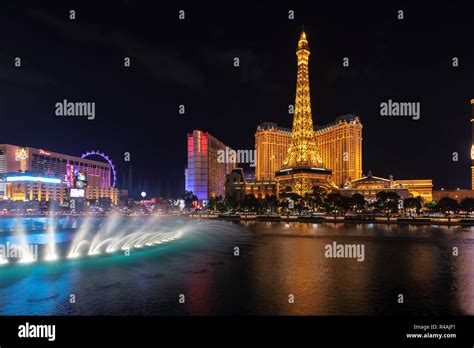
(329, 156)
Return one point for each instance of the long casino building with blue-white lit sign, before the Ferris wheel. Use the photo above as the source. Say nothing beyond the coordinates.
(38, 175)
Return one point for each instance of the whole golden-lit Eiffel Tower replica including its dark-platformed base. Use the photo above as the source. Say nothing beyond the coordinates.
(303, 168)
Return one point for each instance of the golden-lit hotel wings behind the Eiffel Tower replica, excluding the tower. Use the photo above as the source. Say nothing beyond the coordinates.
(340, 147)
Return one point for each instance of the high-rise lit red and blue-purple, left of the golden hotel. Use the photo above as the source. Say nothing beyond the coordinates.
(205, 175)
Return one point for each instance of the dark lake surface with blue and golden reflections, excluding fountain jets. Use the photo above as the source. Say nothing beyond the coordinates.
(276, 260)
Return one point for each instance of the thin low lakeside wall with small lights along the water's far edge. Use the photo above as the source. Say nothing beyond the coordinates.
(342, 219)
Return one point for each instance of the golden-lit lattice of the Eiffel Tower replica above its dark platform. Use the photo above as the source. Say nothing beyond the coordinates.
(303, 151)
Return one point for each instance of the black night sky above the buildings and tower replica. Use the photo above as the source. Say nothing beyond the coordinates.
(190, 62)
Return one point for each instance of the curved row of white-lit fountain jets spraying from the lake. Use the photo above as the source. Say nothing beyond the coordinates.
(79, 237)
